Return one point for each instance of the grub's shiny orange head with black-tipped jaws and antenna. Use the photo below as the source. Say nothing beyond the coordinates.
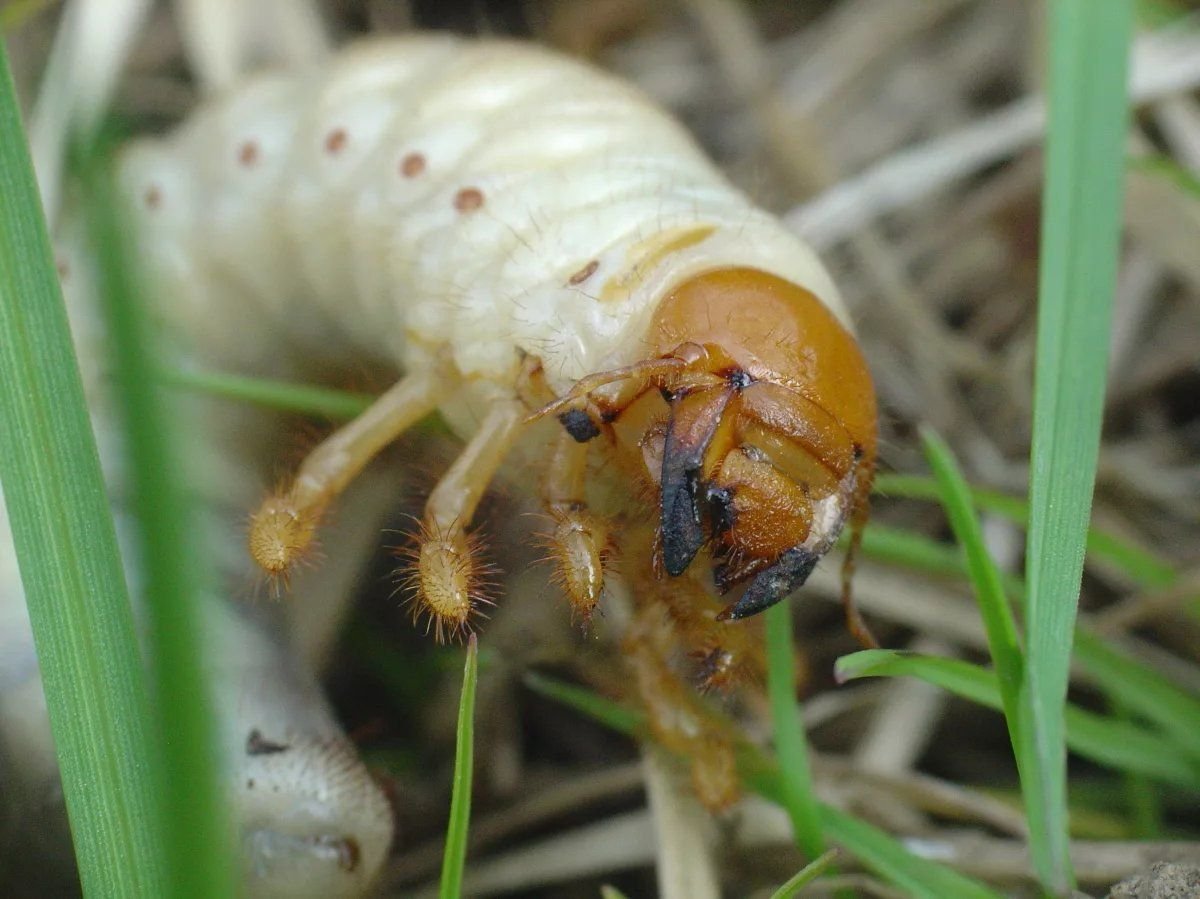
(767, 446)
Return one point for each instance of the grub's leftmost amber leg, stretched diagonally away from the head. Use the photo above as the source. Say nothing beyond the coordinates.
(285, 526)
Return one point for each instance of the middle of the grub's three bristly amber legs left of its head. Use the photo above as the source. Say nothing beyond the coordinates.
(449, 578)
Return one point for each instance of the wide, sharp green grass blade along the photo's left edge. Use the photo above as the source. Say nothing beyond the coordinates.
(63, 530)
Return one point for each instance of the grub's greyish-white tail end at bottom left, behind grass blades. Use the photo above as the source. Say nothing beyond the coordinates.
(311, 820)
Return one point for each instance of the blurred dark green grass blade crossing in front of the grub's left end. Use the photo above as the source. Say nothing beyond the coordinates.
(197, 829)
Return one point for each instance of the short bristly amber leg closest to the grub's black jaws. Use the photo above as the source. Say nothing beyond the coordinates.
(578, 541)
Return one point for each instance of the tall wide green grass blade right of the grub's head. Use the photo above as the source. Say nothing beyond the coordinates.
(1082, 224)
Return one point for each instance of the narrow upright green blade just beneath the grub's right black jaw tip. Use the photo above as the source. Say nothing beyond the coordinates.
(791, 747)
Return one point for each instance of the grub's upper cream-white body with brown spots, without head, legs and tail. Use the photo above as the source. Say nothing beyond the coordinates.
(427, 197)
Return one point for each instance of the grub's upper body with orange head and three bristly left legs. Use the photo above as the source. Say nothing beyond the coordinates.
(514, 230)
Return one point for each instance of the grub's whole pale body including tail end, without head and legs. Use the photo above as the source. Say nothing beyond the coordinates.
(416, 201)
